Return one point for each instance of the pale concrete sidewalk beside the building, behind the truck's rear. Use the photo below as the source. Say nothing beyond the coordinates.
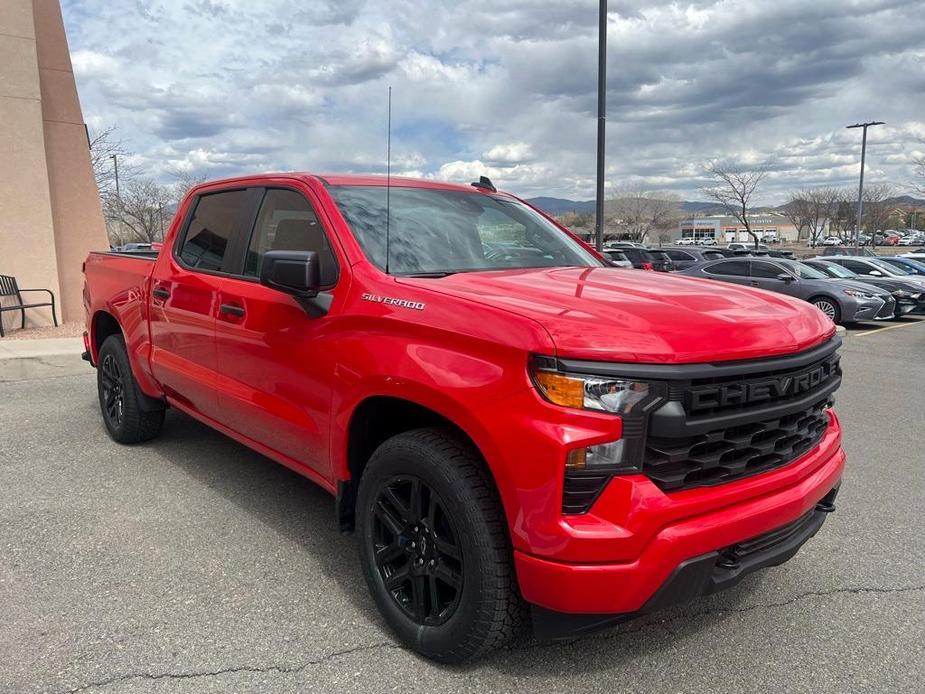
(30, 359)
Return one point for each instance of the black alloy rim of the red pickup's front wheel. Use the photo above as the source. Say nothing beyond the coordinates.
(417, 551)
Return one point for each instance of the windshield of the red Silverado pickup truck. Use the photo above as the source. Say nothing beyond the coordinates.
(439, 232)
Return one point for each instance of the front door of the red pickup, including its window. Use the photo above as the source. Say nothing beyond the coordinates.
(276, 362)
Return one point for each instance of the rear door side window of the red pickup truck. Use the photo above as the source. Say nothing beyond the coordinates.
(214, 221)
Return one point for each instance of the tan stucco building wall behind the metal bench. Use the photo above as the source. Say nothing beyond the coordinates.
(50, 213)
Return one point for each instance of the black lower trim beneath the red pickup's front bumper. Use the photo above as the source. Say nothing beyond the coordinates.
(696, 577)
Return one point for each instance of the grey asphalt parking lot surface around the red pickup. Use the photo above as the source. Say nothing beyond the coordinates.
(191, 564)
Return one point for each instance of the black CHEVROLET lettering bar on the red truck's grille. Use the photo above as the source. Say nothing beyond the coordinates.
(762, 390)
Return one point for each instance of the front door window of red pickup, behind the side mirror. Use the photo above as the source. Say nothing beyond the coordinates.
(287, 222)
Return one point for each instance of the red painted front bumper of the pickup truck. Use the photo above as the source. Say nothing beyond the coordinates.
(626, 586)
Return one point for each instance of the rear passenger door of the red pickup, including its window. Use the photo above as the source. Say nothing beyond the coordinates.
(185, 285)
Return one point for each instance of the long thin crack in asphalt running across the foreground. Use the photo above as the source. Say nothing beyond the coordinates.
(664, 624)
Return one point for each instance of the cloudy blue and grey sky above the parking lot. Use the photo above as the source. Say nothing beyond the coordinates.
(508, 88)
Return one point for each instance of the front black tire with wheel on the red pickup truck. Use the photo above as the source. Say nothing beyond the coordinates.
(458, 531)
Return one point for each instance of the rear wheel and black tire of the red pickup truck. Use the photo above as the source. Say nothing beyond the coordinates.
(126, 414)
